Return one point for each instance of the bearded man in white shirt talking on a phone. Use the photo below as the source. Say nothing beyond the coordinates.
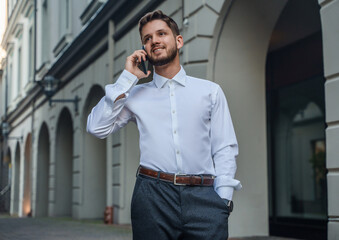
(188, 147)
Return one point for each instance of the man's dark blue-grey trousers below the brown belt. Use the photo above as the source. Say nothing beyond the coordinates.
(164, 211)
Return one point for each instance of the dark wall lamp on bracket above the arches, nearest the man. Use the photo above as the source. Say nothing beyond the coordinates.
(50, 85)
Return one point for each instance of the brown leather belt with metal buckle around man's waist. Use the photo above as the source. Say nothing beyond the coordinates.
(178, 179)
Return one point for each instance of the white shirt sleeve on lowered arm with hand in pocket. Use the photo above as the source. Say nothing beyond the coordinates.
(224, 147)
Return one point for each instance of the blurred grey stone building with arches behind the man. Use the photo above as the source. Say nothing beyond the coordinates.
(276, 60)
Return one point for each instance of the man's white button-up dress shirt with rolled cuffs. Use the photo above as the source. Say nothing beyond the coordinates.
(184, 125)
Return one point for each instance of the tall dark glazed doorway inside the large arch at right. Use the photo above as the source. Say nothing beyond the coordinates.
(296, 124)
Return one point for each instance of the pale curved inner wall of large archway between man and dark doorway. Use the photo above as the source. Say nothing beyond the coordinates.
(237, 63)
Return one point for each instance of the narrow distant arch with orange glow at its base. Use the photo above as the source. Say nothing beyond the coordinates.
(26, 203)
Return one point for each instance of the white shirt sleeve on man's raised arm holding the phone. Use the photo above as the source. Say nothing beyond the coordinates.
(110, 115)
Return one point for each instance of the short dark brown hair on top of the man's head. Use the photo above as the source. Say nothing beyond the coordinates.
(159, 15)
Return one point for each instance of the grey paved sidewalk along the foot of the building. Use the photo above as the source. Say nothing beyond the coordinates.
(12, 228)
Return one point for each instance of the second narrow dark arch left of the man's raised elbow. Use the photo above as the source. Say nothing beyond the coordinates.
(64, 164)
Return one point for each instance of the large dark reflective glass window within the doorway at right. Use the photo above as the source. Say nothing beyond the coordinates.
(299, 149)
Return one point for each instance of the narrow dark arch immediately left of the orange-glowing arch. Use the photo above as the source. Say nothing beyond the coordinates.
(16, 178)
